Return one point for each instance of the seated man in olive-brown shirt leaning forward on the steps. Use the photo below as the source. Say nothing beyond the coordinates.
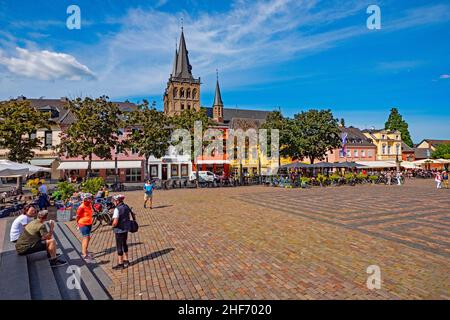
(35, 237)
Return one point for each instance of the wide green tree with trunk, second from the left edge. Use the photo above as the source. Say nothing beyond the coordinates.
(95, 131)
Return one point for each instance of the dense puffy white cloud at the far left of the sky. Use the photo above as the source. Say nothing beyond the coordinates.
(46, 65)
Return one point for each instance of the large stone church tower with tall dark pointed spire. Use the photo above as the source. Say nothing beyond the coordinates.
(183, 90)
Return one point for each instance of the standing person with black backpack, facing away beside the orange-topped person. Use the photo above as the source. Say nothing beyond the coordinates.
(121, 227)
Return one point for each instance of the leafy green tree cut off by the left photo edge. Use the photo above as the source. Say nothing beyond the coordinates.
(18, 123)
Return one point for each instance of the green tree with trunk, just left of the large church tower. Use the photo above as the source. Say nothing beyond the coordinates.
(151, 136)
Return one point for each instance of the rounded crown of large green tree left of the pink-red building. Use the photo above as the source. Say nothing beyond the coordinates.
(311, 134)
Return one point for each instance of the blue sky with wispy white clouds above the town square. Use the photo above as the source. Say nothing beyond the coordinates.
(292, 54)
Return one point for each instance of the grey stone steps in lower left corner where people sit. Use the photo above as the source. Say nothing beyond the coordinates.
(31, 277)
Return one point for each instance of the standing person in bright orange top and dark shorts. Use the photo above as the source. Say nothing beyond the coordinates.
(84, 223)
